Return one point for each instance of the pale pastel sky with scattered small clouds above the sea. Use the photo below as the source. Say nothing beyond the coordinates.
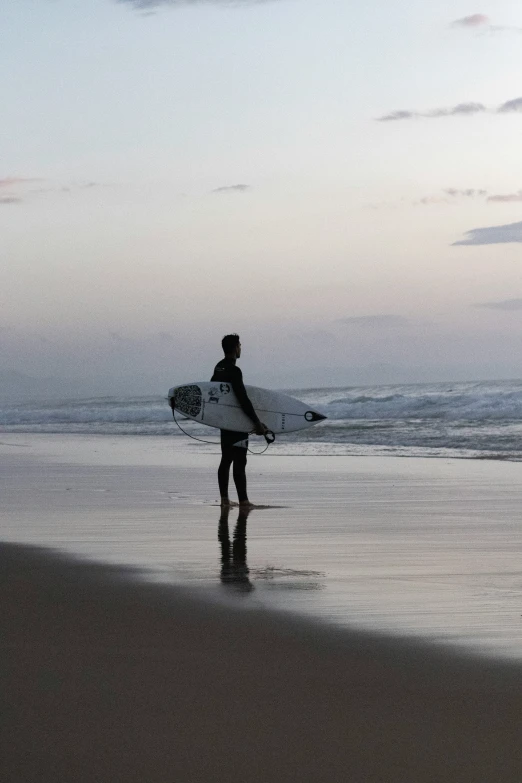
(339, 182)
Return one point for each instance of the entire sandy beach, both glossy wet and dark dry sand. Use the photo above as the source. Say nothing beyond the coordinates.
(311, 650)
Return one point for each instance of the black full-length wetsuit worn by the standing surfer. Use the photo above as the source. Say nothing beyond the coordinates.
(234, 444)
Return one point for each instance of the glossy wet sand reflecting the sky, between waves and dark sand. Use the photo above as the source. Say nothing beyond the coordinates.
(414, 548)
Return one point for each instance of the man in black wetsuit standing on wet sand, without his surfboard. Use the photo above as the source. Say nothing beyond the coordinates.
(234, 445)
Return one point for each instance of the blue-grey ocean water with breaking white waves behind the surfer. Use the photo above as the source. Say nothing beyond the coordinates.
(474, 420)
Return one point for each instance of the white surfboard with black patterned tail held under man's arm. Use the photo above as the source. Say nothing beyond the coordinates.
(216, 405)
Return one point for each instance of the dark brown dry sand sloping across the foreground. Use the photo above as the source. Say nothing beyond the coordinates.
(106, 679)
